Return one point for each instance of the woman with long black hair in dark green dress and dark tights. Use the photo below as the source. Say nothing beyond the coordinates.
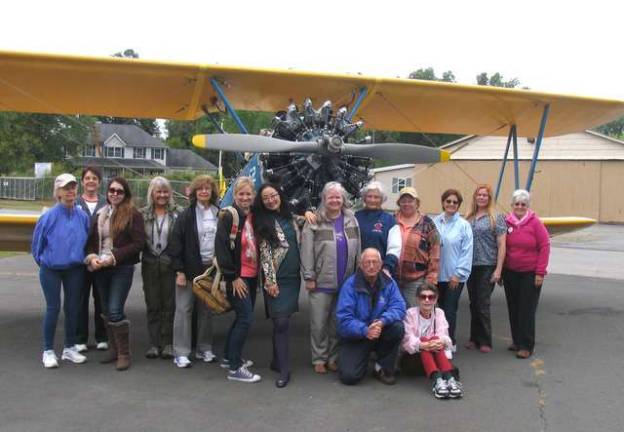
(278, 237)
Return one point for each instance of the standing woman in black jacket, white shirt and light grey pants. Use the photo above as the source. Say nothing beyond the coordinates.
(192, 250)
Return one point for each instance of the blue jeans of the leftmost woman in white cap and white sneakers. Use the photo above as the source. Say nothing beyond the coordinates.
(51, 280)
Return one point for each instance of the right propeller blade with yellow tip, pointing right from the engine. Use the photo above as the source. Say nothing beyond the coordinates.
(397, 152)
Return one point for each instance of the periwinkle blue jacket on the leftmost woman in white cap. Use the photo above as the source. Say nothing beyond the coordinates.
(60, 238)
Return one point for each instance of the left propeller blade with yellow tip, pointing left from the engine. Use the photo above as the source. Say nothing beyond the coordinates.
(253, 143)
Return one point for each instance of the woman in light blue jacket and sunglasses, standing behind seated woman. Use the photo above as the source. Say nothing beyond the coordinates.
(455, 255)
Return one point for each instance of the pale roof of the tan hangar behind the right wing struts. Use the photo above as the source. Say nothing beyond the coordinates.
(585, 145)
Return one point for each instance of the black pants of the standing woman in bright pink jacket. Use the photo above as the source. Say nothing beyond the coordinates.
(522, 298)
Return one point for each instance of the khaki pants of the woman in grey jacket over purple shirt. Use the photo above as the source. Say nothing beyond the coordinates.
(324, 342)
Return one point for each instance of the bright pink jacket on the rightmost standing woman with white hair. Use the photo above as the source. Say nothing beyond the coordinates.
(528, 244)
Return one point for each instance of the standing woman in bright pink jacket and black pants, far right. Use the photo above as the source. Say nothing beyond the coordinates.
(528, 249)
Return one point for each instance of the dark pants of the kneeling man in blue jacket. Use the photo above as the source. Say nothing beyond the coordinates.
(354, 353)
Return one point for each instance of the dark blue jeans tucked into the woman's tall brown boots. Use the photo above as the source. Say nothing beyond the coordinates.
(114, 285)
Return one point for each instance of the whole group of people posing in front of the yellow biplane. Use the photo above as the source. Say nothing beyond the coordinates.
(375, 281)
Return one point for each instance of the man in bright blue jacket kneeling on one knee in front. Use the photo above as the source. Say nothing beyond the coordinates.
(369, 317)
